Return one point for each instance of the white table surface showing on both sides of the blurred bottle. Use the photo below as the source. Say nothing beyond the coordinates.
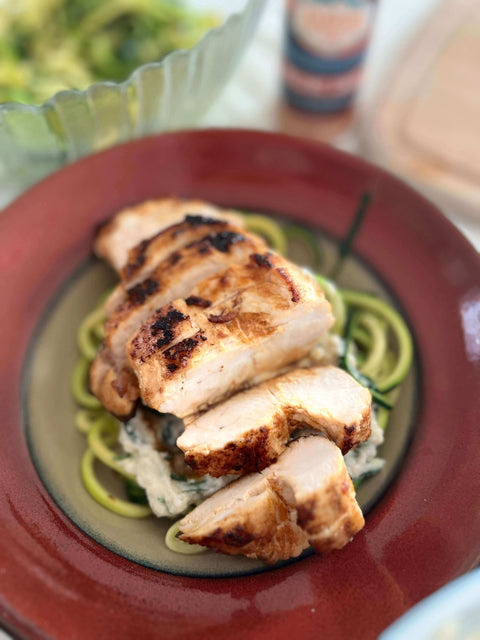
(251, 96)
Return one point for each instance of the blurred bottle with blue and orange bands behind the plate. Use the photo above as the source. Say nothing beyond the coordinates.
(325, 47)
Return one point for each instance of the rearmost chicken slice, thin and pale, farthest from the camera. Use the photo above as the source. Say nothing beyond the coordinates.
(134, 224)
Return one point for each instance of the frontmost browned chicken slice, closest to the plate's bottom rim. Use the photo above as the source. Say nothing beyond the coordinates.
(307, 497)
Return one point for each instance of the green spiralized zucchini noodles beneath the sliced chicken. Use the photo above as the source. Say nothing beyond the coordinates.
(377, 352)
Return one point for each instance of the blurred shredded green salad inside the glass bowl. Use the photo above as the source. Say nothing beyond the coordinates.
(51, 45)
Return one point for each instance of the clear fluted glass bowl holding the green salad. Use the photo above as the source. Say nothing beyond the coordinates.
(156, 97)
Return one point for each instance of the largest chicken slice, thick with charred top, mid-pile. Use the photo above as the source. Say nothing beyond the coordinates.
(260, 317)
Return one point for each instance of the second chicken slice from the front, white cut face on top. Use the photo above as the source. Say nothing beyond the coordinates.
(250, 430)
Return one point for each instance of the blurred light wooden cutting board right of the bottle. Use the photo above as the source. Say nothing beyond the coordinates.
(426, 123)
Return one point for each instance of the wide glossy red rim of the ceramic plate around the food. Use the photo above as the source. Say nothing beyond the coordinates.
(56, 581)
